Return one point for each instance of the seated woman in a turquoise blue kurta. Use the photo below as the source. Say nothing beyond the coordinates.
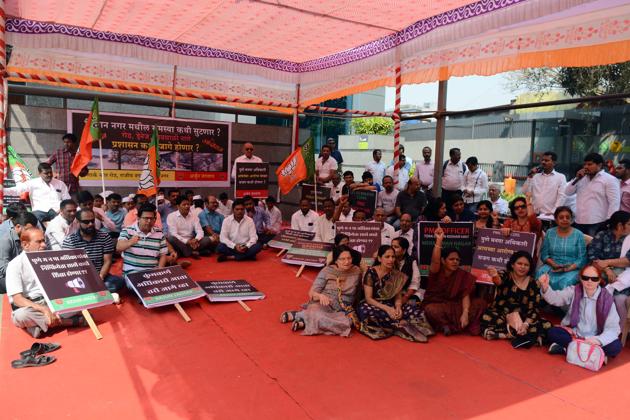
(563, 252)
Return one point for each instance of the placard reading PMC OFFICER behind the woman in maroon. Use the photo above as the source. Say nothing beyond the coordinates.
(458, 235)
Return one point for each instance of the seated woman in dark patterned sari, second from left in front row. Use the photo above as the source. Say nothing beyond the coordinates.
(382, 313)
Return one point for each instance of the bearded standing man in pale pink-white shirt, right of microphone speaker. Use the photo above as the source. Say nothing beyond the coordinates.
(597, 194)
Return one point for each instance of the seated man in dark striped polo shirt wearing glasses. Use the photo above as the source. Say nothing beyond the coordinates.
(99, 247)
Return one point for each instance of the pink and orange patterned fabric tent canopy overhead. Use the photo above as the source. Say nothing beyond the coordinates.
(259, 51)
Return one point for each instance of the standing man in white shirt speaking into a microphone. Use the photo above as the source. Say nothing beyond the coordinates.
(546, 186)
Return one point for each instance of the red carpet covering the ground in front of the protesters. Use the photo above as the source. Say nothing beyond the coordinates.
(231, 364)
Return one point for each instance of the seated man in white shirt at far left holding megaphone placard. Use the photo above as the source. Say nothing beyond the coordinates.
(30, 310)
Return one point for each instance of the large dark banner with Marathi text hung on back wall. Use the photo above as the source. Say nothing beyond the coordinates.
(192, 152)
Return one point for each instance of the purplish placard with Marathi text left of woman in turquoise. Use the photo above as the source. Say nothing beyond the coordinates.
(493, 249)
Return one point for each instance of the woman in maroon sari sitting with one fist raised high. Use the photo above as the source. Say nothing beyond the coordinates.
(448, 303)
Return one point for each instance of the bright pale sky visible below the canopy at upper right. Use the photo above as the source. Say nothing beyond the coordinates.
(463, 93)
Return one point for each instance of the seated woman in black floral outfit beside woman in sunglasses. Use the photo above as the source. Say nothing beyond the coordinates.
(515, 312)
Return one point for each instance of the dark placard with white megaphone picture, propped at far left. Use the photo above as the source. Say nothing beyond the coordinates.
(68, 280)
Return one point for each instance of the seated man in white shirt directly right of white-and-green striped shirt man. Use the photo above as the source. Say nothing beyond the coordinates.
(185, 233)
